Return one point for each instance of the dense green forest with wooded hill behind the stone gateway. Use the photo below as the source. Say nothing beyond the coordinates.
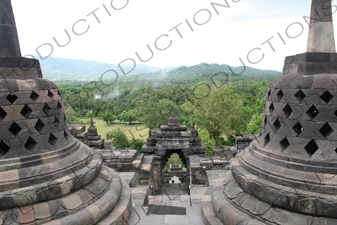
(222, 105)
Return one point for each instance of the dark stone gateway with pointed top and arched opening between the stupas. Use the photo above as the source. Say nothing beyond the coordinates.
(174, 138)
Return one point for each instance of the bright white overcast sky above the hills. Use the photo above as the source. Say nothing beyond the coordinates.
(117, 29)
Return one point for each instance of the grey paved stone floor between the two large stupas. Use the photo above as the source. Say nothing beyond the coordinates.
(172, 196)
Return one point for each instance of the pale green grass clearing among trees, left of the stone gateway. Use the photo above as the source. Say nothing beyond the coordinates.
(137, 131)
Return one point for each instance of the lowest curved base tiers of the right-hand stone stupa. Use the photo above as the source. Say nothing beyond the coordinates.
(225, 201)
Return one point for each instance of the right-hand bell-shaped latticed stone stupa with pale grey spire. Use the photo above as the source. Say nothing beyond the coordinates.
(288, 175)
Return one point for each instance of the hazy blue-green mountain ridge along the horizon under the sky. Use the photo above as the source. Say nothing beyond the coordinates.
(75, 69)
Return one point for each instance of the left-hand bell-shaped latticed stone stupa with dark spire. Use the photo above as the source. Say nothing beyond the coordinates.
(46, 175)
